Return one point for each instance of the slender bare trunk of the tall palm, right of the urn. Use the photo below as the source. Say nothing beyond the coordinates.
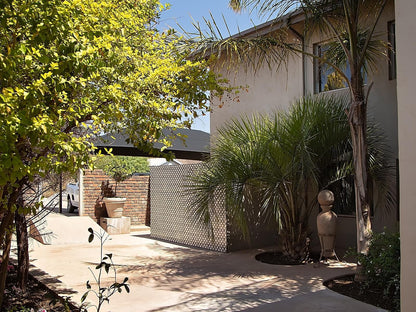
(358, 127)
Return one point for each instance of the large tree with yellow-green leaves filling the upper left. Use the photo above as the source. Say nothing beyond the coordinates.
(71, 69)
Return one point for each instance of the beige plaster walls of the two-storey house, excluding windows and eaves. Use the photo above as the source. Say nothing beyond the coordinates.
(270, 90)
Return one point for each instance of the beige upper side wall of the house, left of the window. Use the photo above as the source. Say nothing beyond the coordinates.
(267, 90)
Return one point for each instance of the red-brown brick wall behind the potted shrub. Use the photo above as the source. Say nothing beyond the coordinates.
(135, 189)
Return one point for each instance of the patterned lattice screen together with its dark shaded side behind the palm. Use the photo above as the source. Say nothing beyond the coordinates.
(172, 218)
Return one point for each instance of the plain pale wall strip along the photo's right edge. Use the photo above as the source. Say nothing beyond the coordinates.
(406, 69)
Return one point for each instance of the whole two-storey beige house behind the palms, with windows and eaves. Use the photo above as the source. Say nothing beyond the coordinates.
(266, 89)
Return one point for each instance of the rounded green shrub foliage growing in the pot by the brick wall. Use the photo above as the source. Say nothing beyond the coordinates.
(120, 168)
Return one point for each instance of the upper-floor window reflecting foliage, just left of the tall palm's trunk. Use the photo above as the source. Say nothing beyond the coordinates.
(326, 78)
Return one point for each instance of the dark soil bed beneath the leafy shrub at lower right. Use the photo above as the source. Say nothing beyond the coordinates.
(345, 285)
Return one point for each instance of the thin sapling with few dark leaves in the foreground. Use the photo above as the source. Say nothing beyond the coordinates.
(102, 293)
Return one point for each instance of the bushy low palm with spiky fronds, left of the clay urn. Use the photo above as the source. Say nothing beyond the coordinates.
(268, 166)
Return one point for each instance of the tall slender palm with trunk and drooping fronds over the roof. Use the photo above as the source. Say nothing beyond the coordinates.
(354, 48)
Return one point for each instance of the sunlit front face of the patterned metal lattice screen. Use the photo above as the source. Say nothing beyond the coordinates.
(169, 210)
